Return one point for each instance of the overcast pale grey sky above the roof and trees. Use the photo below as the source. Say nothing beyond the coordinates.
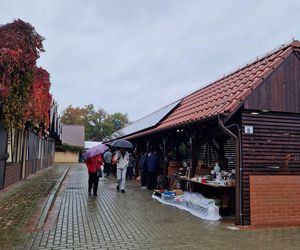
(135, 56)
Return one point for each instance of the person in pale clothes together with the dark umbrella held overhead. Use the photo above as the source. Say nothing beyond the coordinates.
(122, 159)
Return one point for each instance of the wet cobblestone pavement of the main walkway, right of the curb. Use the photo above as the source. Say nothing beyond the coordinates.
(135, 221)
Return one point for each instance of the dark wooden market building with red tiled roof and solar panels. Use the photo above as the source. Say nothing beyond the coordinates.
(249, 120)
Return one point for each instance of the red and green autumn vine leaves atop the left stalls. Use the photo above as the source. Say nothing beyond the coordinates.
(24, 87)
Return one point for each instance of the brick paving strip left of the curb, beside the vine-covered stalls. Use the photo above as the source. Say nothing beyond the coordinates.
(20, 204)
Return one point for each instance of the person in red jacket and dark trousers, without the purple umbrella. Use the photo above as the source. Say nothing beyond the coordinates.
(94, 167)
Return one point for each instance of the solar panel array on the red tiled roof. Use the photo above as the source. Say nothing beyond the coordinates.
(146, 122)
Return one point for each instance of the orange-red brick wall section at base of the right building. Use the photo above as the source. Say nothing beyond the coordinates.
(275, 200)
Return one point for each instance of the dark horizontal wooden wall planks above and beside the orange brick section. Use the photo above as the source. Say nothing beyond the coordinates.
(273, 148)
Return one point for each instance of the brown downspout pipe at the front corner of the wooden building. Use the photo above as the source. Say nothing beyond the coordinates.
(239, 170)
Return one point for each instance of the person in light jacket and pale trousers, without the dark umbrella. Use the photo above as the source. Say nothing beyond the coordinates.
(122, 158)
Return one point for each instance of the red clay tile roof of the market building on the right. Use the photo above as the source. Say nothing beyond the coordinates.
(226, 94)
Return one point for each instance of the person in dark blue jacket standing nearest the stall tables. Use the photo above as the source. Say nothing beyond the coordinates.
(153, 165)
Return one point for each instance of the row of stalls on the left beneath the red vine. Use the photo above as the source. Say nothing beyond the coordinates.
(26, 151)
